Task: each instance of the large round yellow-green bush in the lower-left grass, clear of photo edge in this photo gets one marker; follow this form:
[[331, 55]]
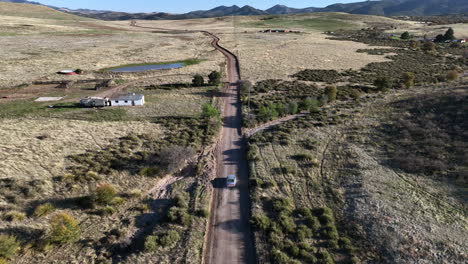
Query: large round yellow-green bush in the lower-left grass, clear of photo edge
[[65, 229]]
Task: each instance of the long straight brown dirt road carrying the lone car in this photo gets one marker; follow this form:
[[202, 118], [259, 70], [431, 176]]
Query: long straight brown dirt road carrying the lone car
[[229, 236]]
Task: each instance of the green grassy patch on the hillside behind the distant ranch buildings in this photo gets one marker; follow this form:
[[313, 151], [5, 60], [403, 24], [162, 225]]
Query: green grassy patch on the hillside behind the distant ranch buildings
[[324, 23]]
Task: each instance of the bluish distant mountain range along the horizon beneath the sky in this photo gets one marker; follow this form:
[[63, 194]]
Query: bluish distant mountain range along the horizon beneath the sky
[[383, 7]]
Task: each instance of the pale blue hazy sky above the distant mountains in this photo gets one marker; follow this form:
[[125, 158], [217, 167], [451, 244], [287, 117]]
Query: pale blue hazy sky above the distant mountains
[[181, 6]]
